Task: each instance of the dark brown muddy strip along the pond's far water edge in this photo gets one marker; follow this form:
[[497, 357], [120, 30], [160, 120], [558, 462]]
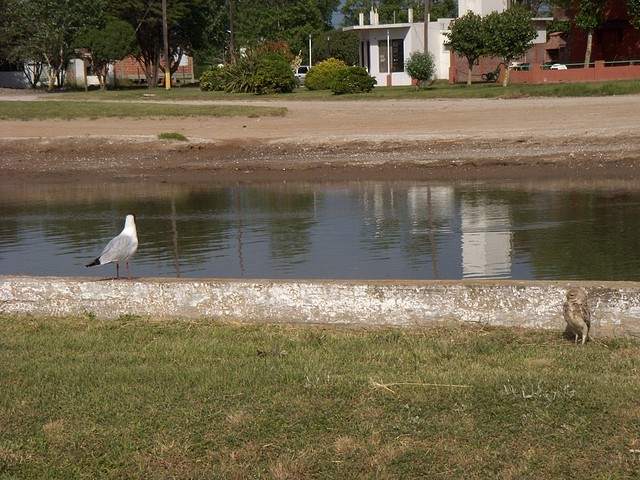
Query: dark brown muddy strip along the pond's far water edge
[[101, 160]]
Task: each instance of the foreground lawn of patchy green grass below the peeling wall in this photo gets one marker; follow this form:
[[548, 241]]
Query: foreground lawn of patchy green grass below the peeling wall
[[143, 399]]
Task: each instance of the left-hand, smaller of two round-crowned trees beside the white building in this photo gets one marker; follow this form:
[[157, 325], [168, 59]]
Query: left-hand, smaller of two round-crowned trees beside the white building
[[466, 37]]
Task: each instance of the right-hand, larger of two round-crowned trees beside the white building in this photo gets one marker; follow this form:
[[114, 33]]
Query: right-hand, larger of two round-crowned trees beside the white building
[[508, 35]]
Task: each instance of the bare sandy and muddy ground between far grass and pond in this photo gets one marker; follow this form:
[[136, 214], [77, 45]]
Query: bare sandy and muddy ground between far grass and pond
[[387, 139]]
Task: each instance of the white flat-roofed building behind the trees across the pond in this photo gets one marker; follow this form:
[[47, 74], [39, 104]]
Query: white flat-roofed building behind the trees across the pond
[[384, 48]]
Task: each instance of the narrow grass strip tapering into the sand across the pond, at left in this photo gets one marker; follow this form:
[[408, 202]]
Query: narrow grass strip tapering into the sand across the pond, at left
[[67, 110]]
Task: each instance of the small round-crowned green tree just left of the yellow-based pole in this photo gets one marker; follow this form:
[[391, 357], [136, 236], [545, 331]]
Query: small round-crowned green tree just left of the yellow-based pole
[[113, 42]]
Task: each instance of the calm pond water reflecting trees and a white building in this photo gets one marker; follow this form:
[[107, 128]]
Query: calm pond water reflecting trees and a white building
[[359, 230]]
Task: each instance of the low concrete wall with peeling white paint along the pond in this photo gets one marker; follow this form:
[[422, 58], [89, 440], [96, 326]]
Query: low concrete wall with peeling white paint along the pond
[[615, 305]]
